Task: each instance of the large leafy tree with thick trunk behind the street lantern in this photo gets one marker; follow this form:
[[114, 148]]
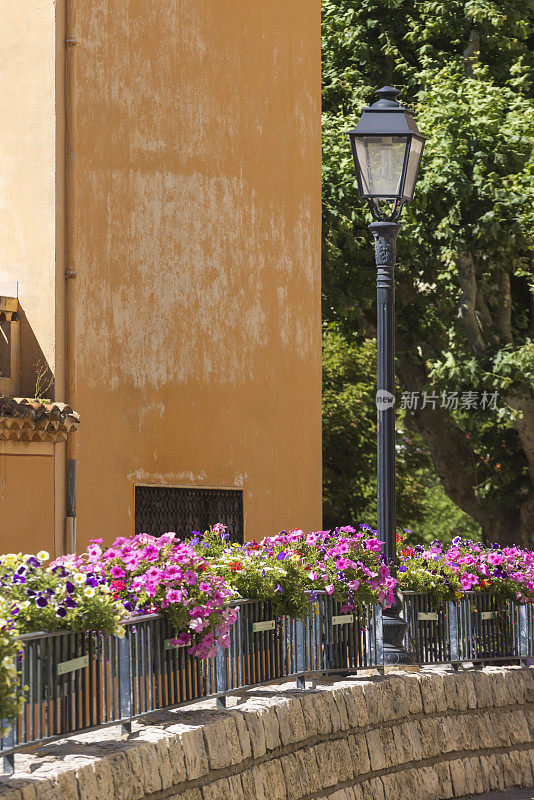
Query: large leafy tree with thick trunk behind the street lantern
[[465, 279]]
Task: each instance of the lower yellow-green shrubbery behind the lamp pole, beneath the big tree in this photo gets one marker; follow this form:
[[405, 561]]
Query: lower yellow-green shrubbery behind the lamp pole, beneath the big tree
[[349, 451]]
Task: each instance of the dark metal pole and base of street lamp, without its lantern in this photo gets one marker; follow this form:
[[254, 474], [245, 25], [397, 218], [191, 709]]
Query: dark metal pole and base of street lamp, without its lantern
[[385, 235]]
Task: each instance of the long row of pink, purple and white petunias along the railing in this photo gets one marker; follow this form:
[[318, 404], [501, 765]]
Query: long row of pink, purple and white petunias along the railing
[[194, 583]]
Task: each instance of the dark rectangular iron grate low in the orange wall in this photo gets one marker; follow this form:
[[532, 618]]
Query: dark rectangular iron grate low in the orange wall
[[159, 509]]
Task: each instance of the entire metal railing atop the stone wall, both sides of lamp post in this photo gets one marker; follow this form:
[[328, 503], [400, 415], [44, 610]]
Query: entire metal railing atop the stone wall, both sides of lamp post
[[75, 682]]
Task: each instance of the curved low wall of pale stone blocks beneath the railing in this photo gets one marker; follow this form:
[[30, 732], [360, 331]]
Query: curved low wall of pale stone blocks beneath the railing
[[422, 736]]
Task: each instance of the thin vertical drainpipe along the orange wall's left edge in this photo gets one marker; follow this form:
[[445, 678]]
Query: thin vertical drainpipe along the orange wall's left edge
[[70, 265]]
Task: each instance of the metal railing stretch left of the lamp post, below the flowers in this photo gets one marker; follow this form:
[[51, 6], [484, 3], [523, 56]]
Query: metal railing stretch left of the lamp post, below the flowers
[[76, 682]]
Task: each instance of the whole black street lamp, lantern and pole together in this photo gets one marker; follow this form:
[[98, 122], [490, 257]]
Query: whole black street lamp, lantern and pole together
[[387, 147]]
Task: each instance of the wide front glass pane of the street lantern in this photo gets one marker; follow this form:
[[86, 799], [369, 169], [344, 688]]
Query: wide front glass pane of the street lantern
[[381, 161]]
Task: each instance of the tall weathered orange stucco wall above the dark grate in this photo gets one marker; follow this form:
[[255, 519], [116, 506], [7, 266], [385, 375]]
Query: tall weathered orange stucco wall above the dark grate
[[198, 256]]
